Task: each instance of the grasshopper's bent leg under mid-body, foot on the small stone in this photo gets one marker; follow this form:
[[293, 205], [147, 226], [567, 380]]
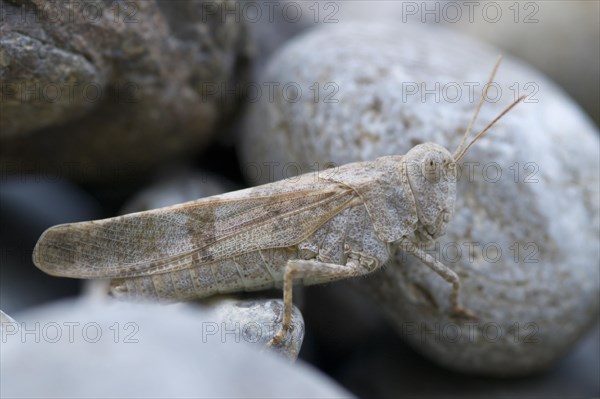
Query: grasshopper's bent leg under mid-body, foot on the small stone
[[299, 268]]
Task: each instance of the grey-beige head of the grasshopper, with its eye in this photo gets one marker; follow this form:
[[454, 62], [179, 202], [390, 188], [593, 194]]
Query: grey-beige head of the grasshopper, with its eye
[[431, 172]]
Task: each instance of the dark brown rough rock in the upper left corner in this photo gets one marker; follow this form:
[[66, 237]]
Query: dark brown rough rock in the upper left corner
[[104, 92]]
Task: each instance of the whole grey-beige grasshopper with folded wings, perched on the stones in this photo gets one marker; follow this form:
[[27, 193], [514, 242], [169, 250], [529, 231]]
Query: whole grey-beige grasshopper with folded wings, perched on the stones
[[313, 229]]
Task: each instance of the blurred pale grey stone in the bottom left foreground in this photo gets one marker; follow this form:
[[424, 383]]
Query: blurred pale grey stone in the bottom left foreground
[[89, 349]]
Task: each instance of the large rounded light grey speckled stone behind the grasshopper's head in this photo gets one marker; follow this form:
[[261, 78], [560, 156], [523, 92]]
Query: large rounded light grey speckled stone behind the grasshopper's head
[[524, 235]]
